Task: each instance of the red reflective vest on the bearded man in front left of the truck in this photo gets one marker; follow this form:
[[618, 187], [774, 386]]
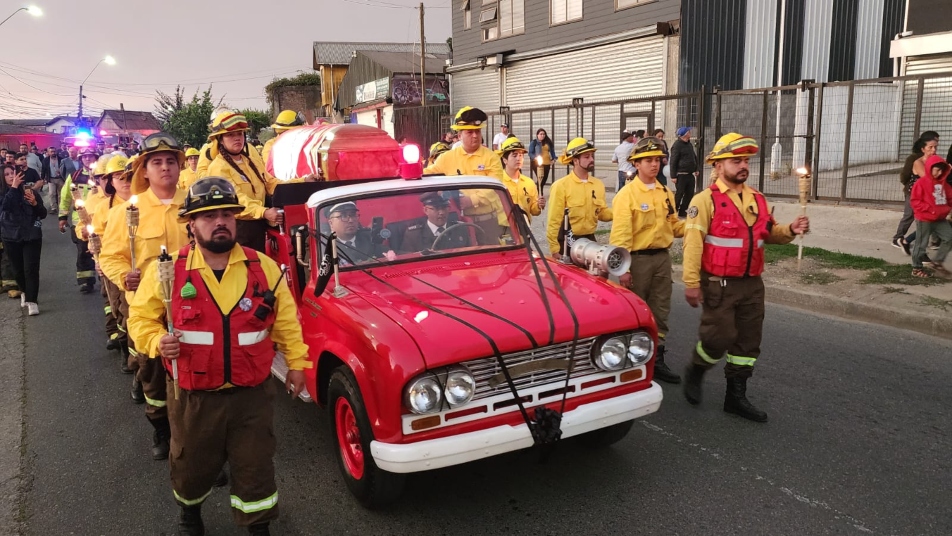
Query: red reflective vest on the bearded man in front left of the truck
[[217, 348]]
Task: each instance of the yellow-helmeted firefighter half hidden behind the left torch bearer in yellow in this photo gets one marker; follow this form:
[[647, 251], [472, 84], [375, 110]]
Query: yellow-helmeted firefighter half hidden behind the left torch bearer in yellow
[[116, 184]]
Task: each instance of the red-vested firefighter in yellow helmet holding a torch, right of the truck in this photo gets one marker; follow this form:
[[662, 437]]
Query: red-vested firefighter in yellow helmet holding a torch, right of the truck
[[723, 260]]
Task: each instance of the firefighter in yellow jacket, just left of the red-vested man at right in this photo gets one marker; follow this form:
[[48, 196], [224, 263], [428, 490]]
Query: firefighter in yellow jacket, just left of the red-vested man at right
[[646, 224]]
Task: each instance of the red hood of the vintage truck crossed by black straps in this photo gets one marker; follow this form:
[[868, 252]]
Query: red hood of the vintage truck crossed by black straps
[[453, 307]]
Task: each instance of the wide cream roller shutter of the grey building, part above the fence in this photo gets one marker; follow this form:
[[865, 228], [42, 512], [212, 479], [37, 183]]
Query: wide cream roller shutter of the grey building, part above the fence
[[622, 70]]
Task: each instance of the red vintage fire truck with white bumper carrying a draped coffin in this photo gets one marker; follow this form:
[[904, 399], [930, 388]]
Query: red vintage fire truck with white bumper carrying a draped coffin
[[441, 336]]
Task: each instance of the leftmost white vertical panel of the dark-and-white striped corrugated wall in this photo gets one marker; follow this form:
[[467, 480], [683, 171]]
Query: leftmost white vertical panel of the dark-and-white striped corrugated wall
[[760, 47]]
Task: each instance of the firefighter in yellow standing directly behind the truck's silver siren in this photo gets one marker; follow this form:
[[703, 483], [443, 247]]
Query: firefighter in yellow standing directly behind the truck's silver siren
[[580, 193]]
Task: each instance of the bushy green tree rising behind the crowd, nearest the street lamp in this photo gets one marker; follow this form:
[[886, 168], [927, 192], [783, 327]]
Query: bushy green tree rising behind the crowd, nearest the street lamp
[[186, 121]]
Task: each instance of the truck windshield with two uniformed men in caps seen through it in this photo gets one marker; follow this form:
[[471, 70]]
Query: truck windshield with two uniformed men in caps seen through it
[[380, 228]]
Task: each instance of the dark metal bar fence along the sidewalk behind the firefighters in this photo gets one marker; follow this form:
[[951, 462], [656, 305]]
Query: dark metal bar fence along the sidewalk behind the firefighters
[[853, 135]]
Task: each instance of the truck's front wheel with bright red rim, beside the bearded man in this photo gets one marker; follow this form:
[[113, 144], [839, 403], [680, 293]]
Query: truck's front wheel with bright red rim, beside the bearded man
[[350, 430]]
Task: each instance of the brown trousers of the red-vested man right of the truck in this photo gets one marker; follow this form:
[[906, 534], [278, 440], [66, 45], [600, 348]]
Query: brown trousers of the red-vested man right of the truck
[[732, 323]]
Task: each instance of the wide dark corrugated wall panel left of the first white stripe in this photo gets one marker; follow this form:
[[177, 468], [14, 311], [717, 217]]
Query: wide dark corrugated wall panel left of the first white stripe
[[712, 44]]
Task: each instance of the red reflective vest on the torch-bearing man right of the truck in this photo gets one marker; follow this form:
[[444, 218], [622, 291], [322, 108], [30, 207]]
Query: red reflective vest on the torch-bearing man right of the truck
[[732, 248]]
